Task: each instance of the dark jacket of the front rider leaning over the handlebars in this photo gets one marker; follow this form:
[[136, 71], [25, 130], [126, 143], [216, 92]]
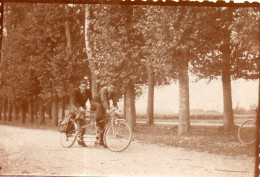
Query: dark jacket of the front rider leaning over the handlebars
[[104, 96]]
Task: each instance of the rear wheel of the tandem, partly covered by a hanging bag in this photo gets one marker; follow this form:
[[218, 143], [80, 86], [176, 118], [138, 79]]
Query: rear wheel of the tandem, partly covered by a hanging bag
[[68, 138]]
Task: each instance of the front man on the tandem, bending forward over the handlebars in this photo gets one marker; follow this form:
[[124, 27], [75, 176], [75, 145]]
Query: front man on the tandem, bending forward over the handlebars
[[101, 106]]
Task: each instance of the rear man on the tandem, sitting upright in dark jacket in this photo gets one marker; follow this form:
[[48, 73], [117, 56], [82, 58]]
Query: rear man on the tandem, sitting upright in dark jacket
[[79, 100]]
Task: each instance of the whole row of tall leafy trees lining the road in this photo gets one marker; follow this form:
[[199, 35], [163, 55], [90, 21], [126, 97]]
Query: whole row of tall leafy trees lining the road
[[48, 48]]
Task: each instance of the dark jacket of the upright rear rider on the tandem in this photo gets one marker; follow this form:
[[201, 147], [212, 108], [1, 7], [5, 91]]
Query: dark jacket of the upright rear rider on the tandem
[[79, 99]]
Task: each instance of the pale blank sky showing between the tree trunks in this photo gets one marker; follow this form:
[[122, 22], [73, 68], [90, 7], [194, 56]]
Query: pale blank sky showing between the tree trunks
[[202, 96]]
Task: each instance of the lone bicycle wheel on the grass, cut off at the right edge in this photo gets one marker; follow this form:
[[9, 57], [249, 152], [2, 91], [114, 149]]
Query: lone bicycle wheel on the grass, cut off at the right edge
[[247, 132]]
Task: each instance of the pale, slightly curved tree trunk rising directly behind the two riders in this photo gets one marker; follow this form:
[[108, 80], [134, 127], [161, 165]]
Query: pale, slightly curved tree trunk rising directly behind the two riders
[[92, 65]]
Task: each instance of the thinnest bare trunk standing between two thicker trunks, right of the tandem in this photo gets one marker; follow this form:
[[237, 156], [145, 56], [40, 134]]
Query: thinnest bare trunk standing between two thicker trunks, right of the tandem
[[150, 102]]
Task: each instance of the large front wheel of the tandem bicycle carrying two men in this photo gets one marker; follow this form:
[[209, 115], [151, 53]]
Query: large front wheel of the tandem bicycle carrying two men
[[118, 136]]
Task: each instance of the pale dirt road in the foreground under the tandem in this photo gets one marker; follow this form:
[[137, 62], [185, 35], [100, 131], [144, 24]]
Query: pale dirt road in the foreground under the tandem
[[38, 152]]
